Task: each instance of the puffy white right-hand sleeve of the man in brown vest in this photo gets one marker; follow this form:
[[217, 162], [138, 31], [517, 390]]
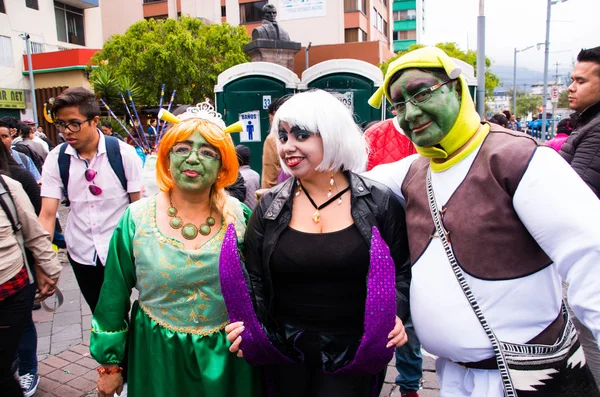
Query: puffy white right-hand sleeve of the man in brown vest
[[563, 216]]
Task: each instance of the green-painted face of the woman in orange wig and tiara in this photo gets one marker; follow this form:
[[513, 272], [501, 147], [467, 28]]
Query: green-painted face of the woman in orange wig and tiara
[[194, 163]]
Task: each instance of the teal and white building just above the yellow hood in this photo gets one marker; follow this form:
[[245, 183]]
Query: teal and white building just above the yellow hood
[[409, 23]]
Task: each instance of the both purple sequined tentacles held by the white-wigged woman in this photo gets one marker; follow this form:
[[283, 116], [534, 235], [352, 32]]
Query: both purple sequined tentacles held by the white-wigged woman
[[380, 310]]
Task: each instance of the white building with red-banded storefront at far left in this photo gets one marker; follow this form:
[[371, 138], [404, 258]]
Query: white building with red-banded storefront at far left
[[51, 27]]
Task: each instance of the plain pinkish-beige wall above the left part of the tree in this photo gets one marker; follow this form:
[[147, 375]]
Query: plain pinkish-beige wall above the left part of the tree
[[119, 15]]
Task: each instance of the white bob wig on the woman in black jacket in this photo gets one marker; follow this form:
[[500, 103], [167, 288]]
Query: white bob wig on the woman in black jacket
[[317, 111]]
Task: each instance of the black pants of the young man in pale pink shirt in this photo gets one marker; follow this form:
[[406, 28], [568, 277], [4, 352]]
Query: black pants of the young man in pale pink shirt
[[90, 280]]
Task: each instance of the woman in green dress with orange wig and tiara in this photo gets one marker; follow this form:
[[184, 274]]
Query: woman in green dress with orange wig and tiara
[[167, 247]]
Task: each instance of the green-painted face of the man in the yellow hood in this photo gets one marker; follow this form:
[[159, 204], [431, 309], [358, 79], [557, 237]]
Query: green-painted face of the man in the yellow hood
[[435, 112]]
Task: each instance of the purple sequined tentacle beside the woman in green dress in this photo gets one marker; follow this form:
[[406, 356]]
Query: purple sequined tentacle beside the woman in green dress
[[256, 346]]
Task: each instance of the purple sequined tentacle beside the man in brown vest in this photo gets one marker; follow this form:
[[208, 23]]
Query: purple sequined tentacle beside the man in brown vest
[[380, 313]]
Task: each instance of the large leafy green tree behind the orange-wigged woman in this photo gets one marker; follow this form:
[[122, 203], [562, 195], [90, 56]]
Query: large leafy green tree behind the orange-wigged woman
[[185, 54]]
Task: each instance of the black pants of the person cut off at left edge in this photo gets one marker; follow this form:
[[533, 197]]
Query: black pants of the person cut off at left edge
[[14, 314]]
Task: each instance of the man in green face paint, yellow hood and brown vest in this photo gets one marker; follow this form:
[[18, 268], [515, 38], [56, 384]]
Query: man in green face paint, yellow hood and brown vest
[[492, 272]]
